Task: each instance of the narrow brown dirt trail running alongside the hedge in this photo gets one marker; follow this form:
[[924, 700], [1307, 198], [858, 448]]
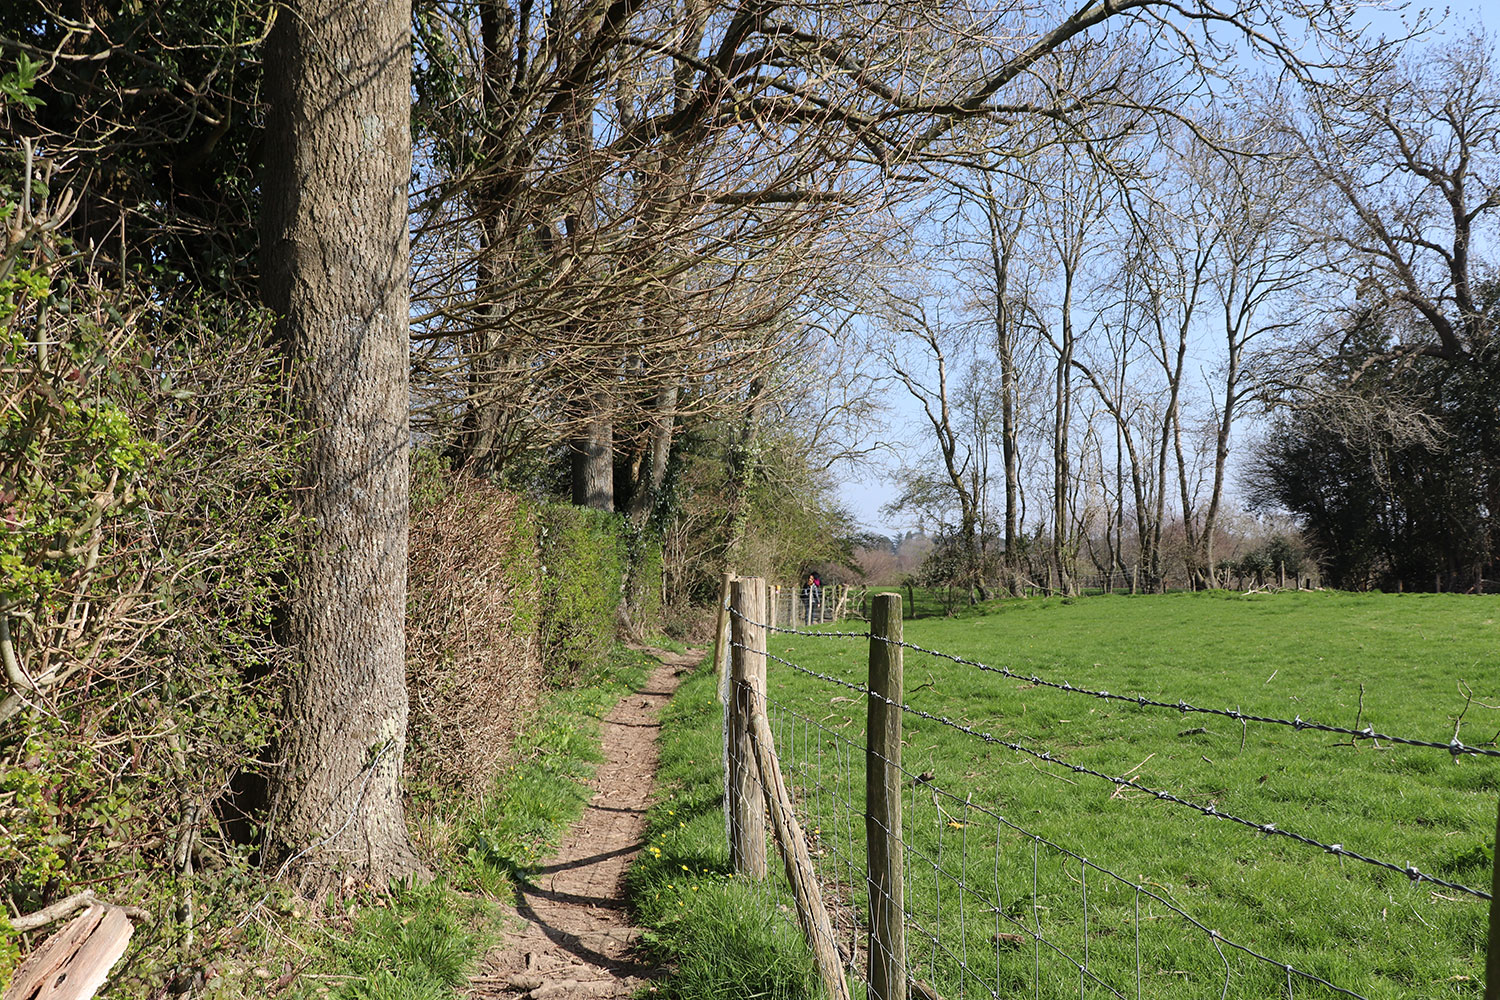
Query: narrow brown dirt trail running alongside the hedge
[[577, 941]]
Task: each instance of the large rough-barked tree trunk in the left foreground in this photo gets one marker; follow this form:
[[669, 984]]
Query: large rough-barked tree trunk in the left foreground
[[335, 271]]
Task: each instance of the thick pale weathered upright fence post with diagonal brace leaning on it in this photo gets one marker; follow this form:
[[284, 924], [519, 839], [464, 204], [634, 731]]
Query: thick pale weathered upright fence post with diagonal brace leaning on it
[[748, 680]]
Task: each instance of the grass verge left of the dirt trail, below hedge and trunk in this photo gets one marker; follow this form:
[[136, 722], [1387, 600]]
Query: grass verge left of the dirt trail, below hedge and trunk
[[422, 944]]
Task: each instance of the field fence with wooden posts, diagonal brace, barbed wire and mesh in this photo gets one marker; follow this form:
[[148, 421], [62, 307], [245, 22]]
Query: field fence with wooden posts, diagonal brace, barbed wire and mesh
[[859, 831]]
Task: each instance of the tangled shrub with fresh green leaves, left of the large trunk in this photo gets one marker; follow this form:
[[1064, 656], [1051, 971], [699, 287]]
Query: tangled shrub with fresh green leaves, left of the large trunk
[[148, 470]]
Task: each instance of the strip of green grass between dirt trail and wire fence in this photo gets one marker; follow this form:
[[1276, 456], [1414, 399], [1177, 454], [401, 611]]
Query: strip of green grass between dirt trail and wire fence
[[724, 936]]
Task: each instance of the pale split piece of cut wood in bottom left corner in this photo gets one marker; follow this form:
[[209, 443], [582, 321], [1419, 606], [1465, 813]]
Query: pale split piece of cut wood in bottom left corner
[[74, 963]]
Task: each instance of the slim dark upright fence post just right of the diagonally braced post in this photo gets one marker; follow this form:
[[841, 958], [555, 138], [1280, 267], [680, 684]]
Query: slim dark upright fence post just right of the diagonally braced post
[[883, 798]]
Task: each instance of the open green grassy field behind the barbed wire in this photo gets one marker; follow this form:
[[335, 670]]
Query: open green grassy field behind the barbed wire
[[1370, 932]]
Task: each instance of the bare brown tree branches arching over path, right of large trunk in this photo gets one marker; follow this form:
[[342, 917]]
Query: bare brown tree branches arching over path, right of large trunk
[[607, 182]]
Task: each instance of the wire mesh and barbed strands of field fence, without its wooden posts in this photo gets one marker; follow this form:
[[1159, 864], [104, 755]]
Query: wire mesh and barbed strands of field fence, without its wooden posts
[[995, 906]]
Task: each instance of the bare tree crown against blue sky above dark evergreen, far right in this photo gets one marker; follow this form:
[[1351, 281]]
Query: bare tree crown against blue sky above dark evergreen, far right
[[1406, 155]]
